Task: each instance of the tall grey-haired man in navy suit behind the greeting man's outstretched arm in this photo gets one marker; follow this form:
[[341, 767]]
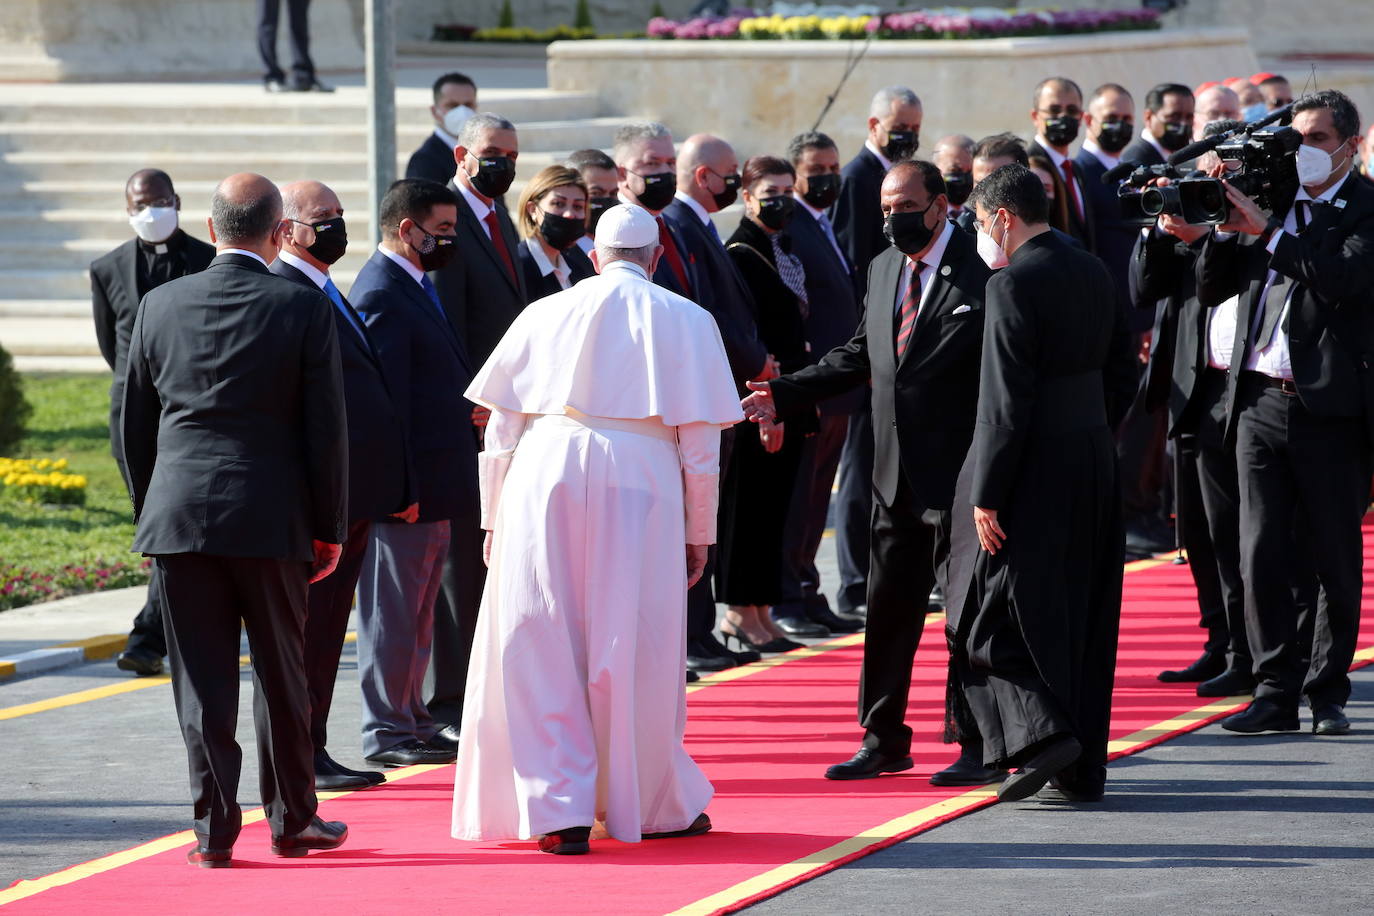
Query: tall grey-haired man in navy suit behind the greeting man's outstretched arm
[[895, 117]]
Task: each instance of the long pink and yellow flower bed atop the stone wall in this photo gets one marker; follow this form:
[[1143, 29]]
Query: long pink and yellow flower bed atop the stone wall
[[741, 25]]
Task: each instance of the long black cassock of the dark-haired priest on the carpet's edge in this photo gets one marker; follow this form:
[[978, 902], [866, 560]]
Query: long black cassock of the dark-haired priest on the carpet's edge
[[1037, 624]]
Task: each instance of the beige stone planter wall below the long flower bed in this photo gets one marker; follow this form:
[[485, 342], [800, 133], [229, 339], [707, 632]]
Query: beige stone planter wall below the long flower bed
[[759, 94]]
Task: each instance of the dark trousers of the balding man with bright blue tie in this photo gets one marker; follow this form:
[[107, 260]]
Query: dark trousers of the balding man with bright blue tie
[[329, 605]]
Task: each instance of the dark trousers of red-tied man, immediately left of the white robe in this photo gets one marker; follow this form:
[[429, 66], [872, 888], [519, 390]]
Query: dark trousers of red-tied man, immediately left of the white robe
[[455, 621]]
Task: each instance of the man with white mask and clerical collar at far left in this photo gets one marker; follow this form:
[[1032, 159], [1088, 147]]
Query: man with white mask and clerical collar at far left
[[161, 252]]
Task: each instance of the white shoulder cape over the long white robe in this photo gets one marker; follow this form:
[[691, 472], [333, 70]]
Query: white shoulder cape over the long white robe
[[618, 347]]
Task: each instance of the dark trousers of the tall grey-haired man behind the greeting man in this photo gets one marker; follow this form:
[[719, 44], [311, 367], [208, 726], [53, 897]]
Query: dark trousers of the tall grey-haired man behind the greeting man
[[854, 510]]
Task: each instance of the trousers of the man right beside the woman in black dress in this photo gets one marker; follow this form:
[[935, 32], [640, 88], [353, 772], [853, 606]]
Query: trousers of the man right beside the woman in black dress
[[807, 518]]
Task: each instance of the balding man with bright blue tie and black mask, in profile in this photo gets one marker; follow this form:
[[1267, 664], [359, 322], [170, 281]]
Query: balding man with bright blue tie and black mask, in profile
[[380, 481]]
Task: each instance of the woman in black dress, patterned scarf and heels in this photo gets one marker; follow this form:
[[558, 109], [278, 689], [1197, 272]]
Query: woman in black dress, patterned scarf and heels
[[759, 479]]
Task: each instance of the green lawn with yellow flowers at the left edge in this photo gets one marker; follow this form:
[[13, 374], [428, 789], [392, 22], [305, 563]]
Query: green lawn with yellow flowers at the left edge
[[71, 420]]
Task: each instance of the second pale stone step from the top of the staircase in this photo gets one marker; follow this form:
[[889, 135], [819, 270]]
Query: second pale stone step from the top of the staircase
[[232, 138]]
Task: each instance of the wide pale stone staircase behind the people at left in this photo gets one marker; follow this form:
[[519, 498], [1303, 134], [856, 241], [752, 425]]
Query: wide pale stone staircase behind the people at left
[[68, 149]]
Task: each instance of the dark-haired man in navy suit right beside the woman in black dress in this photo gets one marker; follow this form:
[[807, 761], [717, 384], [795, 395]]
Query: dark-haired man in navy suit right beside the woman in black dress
[[831, 322]]
